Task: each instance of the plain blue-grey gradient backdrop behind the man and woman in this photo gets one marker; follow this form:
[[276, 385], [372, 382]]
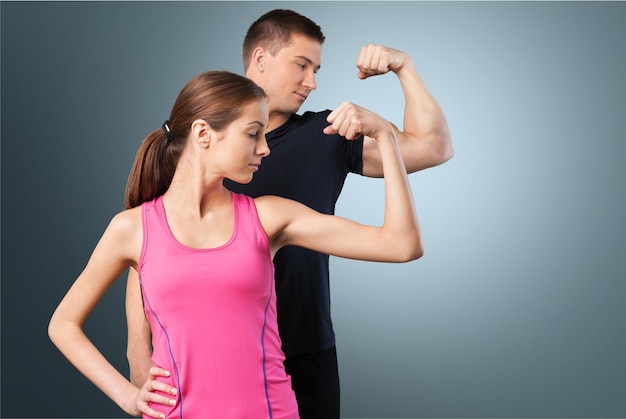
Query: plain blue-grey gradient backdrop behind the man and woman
[[517, 308]]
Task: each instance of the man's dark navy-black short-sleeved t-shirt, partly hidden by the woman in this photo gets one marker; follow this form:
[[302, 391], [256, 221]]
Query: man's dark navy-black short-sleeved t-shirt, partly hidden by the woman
[[308, 166]]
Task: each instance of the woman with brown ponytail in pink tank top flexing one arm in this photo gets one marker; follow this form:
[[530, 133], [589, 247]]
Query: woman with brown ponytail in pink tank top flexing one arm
[[204, 254]]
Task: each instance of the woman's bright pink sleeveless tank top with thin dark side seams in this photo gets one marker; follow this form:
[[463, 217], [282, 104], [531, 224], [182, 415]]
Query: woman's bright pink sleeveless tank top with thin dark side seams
[[213, 318]]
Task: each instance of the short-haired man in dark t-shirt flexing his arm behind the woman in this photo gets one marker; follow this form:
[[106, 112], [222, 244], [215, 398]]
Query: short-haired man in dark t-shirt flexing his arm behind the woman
[[282, 53]]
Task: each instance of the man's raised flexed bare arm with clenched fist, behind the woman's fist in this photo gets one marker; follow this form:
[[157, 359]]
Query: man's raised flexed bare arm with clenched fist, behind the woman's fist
[[425, 139]]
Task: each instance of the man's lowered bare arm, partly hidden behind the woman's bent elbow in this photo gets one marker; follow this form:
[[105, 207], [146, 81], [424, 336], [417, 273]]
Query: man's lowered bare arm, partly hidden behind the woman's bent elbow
[[139, 346]]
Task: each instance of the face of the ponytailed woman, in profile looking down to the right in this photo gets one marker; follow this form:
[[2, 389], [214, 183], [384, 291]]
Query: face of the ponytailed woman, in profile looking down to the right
[[242, 146]]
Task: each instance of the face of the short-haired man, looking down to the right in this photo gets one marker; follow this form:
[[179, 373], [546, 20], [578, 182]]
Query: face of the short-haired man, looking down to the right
[[289, 75]]
